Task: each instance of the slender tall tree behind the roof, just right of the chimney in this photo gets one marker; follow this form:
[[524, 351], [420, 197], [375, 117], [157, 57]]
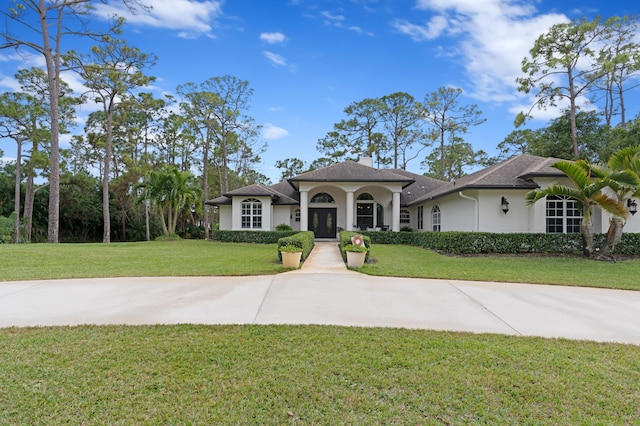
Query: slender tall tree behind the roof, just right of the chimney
[[447, 118]]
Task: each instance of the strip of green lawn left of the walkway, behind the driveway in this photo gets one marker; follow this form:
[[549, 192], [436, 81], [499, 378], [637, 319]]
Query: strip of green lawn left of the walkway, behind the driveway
[[156, 258]]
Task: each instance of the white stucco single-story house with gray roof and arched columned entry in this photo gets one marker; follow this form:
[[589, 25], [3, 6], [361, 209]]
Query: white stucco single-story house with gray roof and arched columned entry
[[354, 195]]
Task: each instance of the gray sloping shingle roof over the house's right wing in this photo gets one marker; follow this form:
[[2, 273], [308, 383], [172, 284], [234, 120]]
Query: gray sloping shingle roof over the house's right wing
[[516, 172]]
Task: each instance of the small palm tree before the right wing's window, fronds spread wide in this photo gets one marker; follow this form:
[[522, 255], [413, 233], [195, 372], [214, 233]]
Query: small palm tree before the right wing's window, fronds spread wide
[[587, 192]]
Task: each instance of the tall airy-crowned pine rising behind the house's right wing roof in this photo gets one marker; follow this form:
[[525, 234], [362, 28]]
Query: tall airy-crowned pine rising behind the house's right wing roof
[[562, 66]]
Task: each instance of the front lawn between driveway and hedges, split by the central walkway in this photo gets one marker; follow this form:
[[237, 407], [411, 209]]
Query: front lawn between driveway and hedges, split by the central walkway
[[202, 258]]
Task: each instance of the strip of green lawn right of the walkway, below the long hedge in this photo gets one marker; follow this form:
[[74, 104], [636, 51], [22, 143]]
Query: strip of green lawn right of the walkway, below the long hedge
[[407, 261]]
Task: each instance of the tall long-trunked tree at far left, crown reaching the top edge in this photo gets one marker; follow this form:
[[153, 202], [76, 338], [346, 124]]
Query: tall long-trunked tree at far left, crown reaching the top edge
[[56, 19]]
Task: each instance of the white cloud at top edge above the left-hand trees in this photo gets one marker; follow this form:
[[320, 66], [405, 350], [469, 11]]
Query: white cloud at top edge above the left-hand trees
[[193, 17]]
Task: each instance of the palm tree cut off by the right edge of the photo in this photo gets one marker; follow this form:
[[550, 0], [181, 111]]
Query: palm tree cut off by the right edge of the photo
[[622, 173]]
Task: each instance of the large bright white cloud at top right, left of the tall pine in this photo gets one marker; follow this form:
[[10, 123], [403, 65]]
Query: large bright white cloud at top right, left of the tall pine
[[490, 36]]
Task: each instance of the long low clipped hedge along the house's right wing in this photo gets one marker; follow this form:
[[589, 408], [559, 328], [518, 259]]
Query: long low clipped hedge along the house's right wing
[[487, 243]]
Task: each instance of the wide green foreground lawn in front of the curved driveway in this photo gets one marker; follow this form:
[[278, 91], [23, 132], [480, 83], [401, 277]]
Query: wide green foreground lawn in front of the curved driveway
[[309, 375]]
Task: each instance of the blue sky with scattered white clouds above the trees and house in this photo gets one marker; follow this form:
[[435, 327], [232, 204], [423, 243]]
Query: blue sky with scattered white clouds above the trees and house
[[306, 60]]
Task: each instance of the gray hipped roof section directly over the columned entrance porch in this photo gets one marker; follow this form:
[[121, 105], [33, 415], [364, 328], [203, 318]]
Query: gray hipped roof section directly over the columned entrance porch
[[350, 171]]
